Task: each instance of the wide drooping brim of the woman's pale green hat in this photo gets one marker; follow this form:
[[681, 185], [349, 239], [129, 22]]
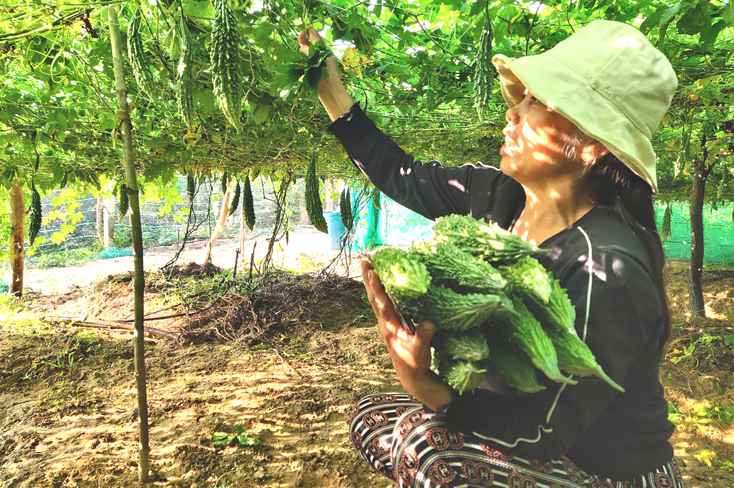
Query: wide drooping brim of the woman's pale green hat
[[570, 95]]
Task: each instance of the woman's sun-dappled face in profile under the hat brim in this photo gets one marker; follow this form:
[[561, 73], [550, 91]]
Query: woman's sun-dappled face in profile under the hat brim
[[535, 142]]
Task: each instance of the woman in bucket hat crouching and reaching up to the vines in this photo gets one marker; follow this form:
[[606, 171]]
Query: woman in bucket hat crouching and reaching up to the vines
[[577, 176]]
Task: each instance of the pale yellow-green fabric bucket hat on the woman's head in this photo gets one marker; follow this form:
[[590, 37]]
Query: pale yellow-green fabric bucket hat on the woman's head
[[608, 80]]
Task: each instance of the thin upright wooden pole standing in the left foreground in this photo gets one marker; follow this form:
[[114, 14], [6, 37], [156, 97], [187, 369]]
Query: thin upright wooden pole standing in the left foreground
[[125, 128]]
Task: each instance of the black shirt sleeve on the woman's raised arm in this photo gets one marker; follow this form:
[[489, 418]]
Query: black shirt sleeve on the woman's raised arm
[[429, 189]]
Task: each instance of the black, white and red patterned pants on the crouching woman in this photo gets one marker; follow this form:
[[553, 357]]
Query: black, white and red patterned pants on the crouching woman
[[398, 439]]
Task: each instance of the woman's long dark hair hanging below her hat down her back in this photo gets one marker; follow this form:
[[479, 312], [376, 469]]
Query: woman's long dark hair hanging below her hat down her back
[[615, 185]]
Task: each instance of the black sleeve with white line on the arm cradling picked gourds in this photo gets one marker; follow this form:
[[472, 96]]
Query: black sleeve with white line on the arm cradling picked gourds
[[614, 299]]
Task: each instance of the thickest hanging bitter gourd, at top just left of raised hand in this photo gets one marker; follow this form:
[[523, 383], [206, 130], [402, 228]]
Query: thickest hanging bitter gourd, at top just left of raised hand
[[225, 62]]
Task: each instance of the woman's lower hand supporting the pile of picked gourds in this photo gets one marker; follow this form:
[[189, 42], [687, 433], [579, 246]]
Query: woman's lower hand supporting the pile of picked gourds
[[410, 353]]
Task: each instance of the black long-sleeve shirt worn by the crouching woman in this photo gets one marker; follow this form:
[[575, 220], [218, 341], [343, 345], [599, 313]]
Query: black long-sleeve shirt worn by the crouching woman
[[606, 272]]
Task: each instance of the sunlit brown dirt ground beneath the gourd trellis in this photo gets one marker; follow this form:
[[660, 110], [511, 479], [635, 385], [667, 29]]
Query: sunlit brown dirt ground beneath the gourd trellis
[[284, 357]]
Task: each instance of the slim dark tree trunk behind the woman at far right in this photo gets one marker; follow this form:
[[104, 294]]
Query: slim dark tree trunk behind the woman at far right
[[695, 272]]
